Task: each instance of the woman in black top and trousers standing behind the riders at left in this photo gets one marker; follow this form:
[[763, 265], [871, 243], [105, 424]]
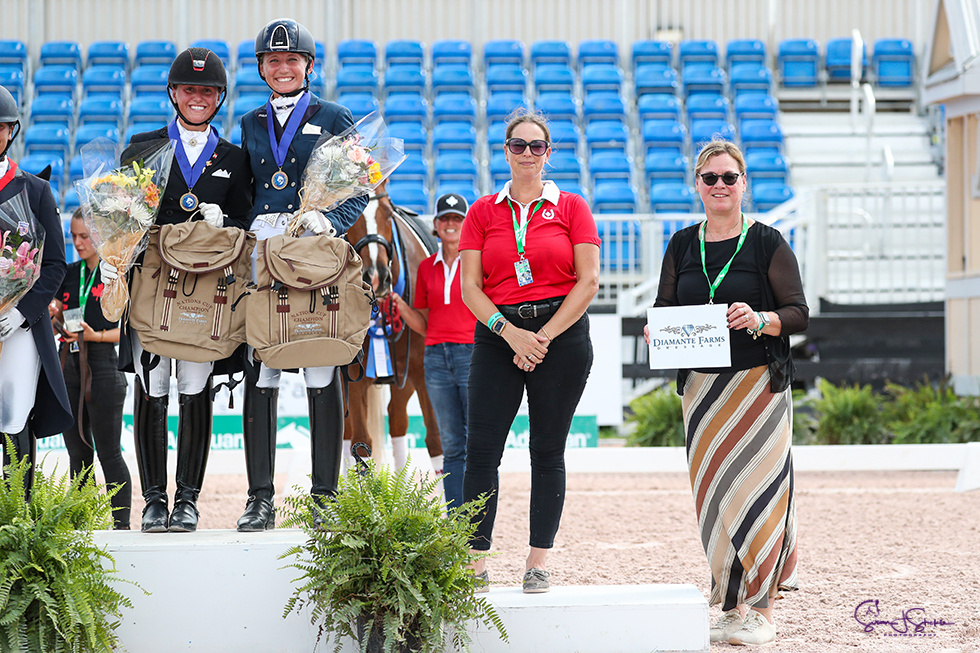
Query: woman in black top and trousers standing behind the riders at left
[[97, 395]]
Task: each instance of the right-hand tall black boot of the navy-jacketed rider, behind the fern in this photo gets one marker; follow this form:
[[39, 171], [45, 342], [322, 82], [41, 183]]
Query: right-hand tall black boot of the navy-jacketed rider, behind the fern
[[326, 438]]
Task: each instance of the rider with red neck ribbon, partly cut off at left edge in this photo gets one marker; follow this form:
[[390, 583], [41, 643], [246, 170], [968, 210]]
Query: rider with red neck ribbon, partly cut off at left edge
[[33, 400]]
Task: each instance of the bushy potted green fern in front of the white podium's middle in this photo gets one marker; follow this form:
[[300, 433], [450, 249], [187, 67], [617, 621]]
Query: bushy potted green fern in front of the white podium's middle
[[387, 552]]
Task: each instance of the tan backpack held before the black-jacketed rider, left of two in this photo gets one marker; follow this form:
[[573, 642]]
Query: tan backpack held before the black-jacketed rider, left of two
[[186, 296]]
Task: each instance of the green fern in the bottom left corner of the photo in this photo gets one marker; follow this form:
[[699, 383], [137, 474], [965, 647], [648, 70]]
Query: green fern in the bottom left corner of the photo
[[55, 591]]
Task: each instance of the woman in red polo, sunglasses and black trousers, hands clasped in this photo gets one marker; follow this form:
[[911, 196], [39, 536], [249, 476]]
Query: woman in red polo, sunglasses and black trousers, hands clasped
[[530, 260]]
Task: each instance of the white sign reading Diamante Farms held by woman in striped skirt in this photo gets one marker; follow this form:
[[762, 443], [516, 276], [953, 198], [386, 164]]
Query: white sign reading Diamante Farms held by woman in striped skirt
[[689, 337]]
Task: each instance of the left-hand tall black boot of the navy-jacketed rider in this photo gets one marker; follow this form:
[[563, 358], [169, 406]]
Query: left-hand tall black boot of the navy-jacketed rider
[[259, 430]]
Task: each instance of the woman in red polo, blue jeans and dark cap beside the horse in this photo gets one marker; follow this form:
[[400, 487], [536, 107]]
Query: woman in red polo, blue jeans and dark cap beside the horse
[[447, 324]]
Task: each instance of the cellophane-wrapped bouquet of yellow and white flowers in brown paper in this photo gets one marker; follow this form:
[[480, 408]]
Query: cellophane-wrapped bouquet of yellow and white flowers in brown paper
[[120, 205]]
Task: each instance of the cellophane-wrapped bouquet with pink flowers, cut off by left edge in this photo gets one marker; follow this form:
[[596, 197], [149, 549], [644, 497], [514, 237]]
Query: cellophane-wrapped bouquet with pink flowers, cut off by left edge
[[21, 250]]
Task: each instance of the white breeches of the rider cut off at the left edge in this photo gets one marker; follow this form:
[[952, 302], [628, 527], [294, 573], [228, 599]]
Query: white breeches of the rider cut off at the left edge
[[20, 369]]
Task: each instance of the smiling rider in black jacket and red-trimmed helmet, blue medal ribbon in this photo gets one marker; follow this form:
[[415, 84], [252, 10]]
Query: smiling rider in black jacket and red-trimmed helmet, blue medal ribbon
[[209, 177]]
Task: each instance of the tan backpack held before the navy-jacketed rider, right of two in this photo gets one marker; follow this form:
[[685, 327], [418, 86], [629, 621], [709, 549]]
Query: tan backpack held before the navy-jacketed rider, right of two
[[311, 307]]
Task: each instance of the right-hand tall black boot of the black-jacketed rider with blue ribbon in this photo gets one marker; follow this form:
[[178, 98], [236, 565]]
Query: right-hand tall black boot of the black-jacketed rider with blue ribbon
[[193, 445]]
